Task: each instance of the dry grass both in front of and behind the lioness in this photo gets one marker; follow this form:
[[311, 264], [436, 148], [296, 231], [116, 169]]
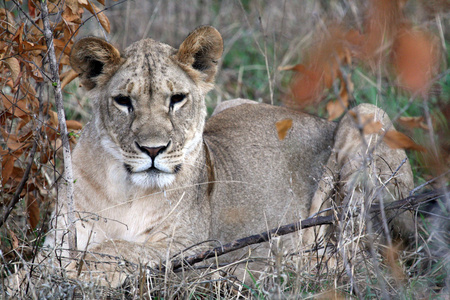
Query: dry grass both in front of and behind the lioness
[[259, 37]]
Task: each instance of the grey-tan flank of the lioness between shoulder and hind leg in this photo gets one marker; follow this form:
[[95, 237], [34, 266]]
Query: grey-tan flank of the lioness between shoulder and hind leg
[[257, 171]]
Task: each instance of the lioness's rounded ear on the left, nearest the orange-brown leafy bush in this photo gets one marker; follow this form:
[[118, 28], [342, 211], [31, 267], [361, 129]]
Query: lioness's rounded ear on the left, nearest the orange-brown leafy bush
[[95, 60]]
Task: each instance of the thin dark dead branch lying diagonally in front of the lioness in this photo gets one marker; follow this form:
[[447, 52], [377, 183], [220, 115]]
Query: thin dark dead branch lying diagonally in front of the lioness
[[405, 204]]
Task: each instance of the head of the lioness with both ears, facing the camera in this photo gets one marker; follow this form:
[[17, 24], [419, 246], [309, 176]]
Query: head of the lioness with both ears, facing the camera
[[149, 108]]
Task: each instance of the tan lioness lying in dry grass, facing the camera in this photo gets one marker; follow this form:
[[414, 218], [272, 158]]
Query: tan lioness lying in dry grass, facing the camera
[[151, 178]]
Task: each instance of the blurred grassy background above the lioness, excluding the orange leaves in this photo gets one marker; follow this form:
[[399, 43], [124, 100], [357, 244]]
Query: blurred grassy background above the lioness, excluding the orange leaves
[[259, 36]]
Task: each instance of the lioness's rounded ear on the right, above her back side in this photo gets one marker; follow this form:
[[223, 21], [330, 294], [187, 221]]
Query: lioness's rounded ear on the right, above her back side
[[201, 51]]
